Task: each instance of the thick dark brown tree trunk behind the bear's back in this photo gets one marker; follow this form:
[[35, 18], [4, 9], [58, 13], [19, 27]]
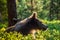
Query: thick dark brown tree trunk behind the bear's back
[[11, 5]]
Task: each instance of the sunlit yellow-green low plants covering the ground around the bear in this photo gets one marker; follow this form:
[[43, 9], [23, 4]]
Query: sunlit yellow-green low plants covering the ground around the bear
[[53, 33]]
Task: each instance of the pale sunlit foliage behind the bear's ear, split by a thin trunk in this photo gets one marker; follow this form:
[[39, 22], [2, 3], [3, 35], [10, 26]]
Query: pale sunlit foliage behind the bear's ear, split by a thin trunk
[[41, 7]]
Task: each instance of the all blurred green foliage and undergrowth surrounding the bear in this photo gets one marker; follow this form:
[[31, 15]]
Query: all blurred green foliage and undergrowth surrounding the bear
[[48, 12]]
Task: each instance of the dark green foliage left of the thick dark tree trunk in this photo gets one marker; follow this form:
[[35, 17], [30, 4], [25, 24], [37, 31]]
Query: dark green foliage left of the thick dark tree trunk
[[3, 10]]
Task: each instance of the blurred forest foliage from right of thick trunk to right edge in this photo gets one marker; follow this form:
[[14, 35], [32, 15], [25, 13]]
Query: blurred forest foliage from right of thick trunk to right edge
[[43, 7]]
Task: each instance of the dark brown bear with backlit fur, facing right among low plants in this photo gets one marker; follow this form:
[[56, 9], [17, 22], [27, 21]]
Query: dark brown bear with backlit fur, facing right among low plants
[[28, 25]]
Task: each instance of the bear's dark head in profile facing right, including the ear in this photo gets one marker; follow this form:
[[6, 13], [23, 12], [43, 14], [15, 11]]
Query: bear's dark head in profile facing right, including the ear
[[34, 23]]
